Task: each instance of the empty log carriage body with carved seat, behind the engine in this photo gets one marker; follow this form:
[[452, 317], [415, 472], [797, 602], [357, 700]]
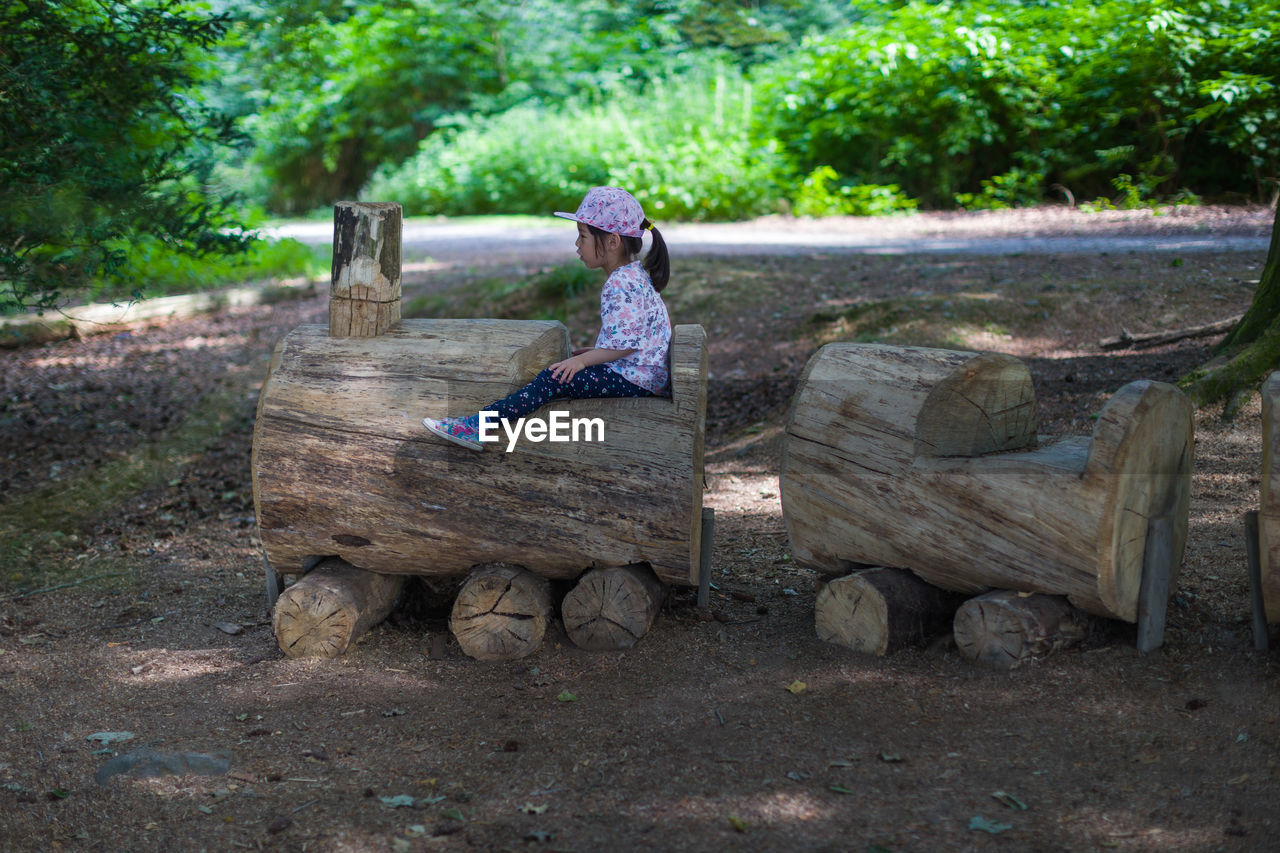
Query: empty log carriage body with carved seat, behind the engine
[[929, 460]]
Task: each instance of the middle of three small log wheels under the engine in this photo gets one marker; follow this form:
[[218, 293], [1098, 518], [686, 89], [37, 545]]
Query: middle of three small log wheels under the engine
[[502, 613]]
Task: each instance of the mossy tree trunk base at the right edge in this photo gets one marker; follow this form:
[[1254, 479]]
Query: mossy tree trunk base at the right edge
[[1252, 349]]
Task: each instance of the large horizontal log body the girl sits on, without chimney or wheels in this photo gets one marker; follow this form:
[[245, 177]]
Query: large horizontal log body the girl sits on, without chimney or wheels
[[342, 466]]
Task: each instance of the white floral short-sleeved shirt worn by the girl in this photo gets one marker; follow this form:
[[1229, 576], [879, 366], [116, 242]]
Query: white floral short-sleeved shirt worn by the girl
[[633, 317]]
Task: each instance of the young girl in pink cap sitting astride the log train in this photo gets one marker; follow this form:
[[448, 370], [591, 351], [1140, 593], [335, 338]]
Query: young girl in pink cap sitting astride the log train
[[630, 355]]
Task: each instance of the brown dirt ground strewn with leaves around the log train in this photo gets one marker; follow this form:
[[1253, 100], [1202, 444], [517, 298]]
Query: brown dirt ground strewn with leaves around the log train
[[132, 612]]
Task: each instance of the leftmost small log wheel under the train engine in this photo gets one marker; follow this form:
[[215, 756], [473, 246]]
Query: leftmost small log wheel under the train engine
[[331, 608]]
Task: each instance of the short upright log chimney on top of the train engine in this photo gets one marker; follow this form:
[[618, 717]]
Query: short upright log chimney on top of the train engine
[[365, 291]]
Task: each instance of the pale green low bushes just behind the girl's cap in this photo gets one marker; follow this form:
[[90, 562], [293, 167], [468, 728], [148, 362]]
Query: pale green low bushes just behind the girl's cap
[[682, 148]]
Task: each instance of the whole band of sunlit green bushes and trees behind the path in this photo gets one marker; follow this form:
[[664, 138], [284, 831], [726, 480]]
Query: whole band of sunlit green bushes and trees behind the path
[[499, 107]]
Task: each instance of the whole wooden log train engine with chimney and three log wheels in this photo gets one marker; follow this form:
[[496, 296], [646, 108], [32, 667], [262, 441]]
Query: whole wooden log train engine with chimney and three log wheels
[[354, 495]]
